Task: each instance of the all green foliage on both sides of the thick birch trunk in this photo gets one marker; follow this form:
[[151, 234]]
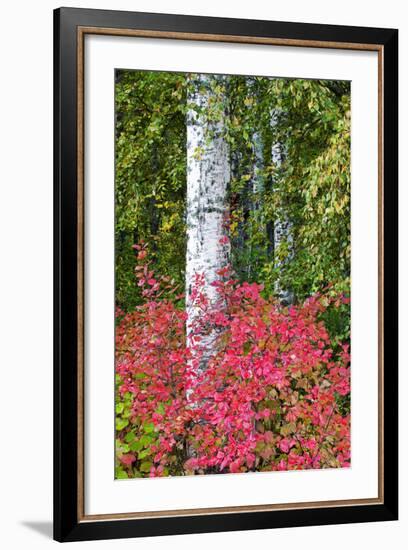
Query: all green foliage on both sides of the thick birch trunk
[[309, 187]]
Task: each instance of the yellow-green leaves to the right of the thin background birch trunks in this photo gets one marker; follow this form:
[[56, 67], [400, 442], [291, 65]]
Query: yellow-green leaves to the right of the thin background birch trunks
[[315, 187]]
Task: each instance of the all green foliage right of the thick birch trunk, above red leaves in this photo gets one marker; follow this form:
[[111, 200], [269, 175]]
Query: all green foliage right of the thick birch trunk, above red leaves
[[309, 187]]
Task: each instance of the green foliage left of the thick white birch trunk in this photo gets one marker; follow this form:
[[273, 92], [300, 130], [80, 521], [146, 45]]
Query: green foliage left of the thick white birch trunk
[[150, 175]]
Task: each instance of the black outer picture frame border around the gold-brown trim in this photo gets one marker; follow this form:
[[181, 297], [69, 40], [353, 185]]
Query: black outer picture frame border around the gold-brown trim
[[67, 332]]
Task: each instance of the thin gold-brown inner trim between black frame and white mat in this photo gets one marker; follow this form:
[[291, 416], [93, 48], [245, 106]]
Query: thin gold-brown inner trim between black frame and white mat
[[81, 33]]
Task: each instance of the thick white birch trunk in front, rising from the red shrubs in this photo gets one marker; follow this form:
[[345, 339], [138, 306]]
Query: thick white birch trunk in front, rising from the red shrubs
[[208, 175]]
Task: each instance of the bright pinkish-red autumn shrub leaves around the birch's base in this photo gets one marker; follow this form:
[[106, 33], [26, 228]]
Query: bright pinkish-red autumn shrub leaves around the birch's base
[[271, 397]]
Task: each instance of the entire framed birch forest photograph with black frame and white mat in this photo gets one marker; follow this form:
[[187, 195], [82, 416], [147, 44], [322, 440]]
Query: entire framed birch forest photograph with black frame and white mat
[[225, 274]]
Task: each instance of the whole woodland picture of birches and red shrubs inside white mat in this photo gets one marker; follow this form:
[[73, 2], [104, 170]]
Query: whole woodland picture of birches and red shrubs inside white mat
[[232, 203]]
